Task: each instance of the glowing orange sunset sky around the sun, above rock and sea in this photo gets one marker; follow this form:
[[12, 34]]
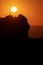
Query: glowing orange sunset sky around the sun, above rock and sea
[[32, 9]]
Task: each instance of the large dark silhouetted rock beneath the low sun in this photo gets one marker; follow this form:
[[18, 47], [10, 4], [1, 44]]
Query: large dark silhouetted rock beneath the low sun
[[14, 27]]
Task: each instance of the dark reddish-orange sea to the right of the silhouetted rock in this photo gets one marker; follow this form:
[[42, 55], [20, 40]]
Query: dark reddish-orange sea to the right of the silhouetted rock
[[36, 31]]
